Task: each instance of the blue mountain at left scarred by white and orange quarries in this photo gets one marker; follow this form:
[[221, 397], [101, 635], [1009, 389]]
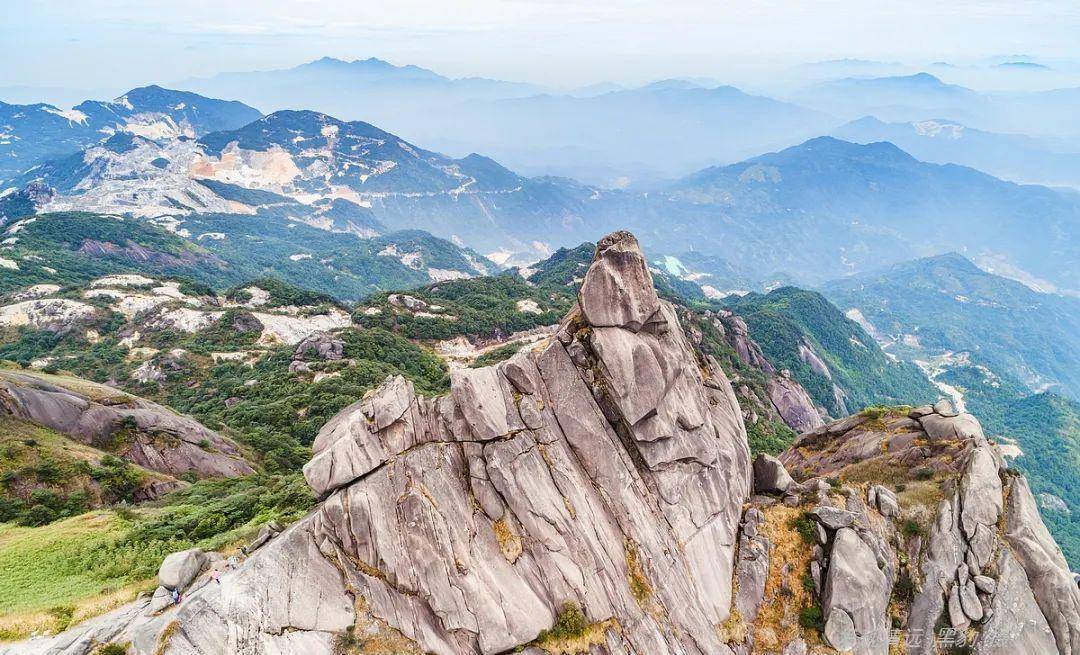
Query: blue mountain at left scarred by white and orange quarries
[[312, 168]]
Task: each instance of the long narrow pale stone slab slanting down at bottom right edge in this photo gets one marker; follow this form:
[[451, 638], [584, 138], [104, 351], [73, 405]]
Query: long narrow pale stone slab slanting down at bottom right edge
[[1048, 573]]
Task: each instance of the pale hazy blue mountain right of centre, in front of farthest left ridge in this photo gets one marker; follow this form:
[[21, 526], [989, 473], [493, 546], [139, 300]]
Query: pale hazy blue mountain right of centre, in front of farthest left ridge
[[636, 137]]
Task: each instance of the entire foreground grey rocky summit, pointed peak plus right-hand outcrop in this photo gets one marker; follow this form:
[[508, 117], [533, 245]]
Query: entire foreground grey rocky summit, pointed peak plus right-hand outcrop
[[596, 493]]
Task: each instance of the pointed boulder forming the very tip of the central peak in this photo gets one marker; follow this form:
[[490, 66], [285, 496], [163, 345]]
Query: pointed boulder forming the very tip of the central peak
[[618, 291]]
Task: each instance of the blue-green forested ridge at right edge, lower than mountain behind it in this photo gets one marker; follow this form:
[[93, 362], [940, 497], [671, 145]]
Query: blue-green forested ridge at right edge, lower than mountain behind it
[[944, 305]]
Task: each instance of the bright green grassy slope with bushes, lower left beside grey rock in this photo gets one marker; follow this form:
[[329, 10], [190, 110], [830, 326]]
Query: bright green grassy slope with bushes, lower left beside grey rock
[[103, 553]]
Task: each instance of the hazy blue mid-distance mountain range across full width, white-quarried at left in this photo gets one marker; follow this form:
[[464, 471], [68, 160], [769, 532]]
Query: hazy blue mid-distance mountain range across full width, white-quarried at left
[[817, 211]]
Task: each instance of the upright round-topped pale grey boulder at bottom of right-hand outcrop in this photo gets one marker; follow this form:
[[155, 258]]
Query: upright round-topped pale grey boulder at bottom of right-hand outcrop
[[856, 587]]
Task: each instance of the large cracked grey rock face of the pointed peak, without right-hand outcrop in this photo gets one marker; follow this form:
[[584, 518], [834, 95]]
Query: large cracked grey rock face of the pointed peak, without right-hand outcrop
[[606, 467]]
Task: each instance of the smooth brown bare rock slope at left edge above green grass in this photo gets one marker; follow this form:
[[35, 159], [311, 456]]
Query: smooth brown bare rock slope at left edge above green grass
[[139, 431]]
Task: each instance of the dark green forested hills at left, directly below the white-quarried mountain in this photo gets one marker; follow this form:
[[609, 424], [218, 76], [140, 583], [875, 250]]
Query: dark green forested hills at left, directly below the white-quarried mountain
[[79, 247]]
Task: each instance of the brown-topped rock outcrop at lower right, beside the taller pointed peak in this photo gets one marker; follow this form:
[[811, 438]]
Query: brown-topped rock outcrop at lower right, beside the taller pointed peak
[[950, 519]]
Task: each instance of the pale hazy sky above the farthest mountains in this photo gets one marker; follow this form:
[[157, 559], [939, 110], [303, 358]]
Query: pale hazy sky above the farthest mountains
[[120, 44]]
